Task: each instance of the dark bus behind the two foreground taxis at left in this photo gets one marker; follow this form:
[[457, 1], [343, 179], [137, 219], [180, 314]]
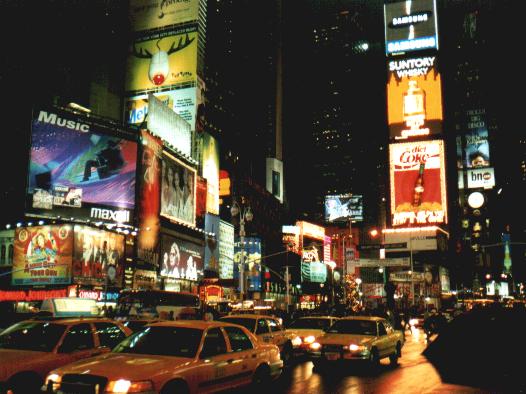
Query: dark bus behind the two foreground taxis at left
[[156, 304]]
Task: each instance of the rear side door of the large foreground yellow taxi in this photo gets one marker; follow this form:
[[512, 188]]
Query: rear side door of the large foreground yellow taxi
[[243, 354]]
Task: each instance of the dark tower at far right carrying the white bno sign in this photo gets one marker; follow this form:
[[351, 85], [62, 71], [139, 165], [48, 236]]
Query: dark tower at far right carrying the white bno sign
[[490, 144]]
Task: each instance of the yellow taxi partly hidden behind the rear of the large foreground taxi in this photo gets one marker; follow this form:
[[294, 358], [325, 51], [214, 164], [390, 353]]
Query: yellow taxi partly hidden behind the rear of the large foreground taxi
[[267, 329]]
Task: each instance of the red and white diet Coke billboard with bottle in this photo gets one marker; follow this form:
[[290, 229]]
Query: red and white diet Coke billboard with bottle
[[418, 183]]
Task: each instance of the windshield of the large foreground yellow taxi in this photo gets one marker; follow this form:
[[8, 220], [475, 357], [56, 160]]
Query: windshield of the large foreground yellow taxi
[[162, 341]]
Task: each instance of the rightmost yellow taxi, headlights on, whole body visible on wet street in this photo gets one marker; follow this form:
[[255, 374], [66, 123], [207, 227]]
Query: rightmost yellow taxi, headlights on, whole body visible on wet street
[[358, 338]]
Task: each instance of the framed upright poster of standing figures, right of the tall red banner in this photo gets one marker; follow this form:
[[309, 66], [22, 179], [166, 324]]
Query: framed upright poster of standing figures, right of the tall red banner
[[178, 190]]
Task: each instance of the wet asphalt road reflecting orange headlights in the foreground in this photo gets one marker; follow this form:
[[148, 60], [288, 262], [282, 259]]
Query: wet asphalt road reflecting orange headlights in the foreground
[[413, 374]]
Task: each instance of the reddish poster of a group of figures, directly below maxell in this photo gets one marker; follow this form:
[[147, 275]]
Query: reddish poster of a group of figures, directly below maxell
[[98, 257]]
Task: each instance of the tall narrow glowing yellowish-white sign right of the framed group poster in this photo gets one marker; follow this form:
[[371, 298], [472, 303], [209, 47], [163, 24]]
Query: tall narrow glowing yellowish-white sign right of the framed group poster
[[211, 172]]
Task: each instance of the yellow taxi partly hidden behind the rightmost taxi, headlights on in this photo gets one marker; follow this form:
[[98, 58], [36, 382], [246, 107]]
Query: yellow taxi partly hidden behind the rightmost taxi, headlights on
[[305, 330]]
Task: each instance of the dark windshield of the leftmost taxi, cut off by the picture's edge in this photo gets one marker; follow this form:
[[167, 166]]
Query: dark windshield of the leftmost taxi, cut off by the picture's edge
[[37, 336]]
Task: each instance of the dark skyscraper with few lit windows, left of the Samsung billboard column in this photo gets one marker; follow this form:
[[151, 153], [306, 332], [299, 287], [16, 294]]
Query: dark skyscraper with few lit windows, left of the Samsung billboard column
[[340, 112]]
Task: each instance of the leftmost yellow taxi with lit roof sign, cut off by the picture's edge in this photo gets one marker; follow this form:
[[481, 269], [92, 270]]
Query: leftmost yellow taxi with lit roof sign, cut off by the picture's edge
[[31, 348]]
